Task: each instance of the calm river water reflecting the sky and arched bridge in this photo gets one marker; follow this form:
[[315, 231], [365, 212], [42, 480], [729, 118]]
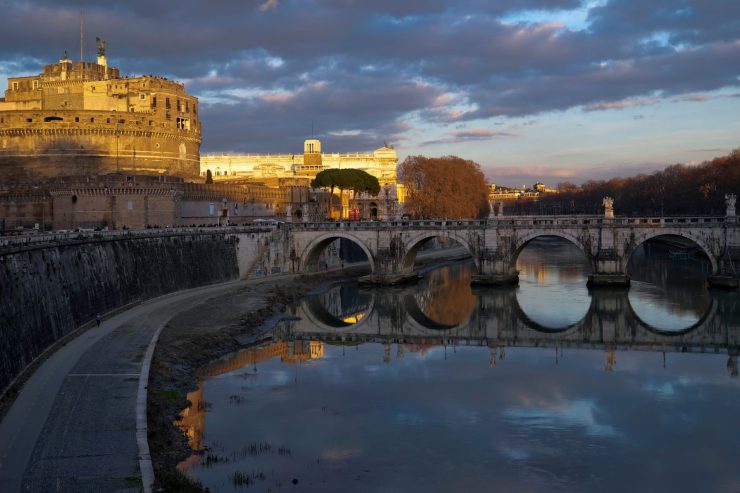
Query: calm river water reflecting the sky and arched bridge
[[435, 387]]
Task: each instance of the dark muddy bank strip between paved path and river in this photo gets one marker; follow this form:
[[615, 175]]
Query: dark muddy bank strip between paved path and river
[[198, 336]]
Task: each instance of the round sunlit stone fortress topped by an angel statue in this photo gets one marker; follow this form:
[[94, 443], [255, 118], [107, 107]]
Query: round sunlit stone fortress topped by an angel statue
[[84, 119]]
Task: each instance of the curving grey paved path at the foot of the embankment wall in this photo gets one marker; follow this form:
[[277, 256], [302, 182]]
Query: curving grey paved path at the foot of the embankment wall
[[72, 428]]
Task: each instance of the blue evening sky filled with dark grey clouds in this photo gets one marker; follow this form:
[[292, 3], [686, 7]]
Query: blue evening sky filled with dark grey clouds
[[532, 90]]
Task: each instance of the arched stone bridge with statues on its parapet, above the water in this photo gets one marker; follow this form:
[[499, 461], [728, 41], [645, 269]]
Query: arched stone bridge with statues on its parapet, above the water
[[495, 243]]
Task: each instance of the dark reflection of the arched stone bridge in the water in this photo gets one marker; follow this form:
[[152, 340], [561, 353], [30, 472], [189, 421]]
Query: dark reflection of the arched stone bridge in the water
[[498, 321]]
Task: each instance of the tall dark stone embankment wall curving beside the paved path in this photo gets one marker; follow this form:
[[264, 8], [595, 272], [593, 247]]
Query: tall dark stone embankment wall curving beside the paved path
[[49, 289]]
